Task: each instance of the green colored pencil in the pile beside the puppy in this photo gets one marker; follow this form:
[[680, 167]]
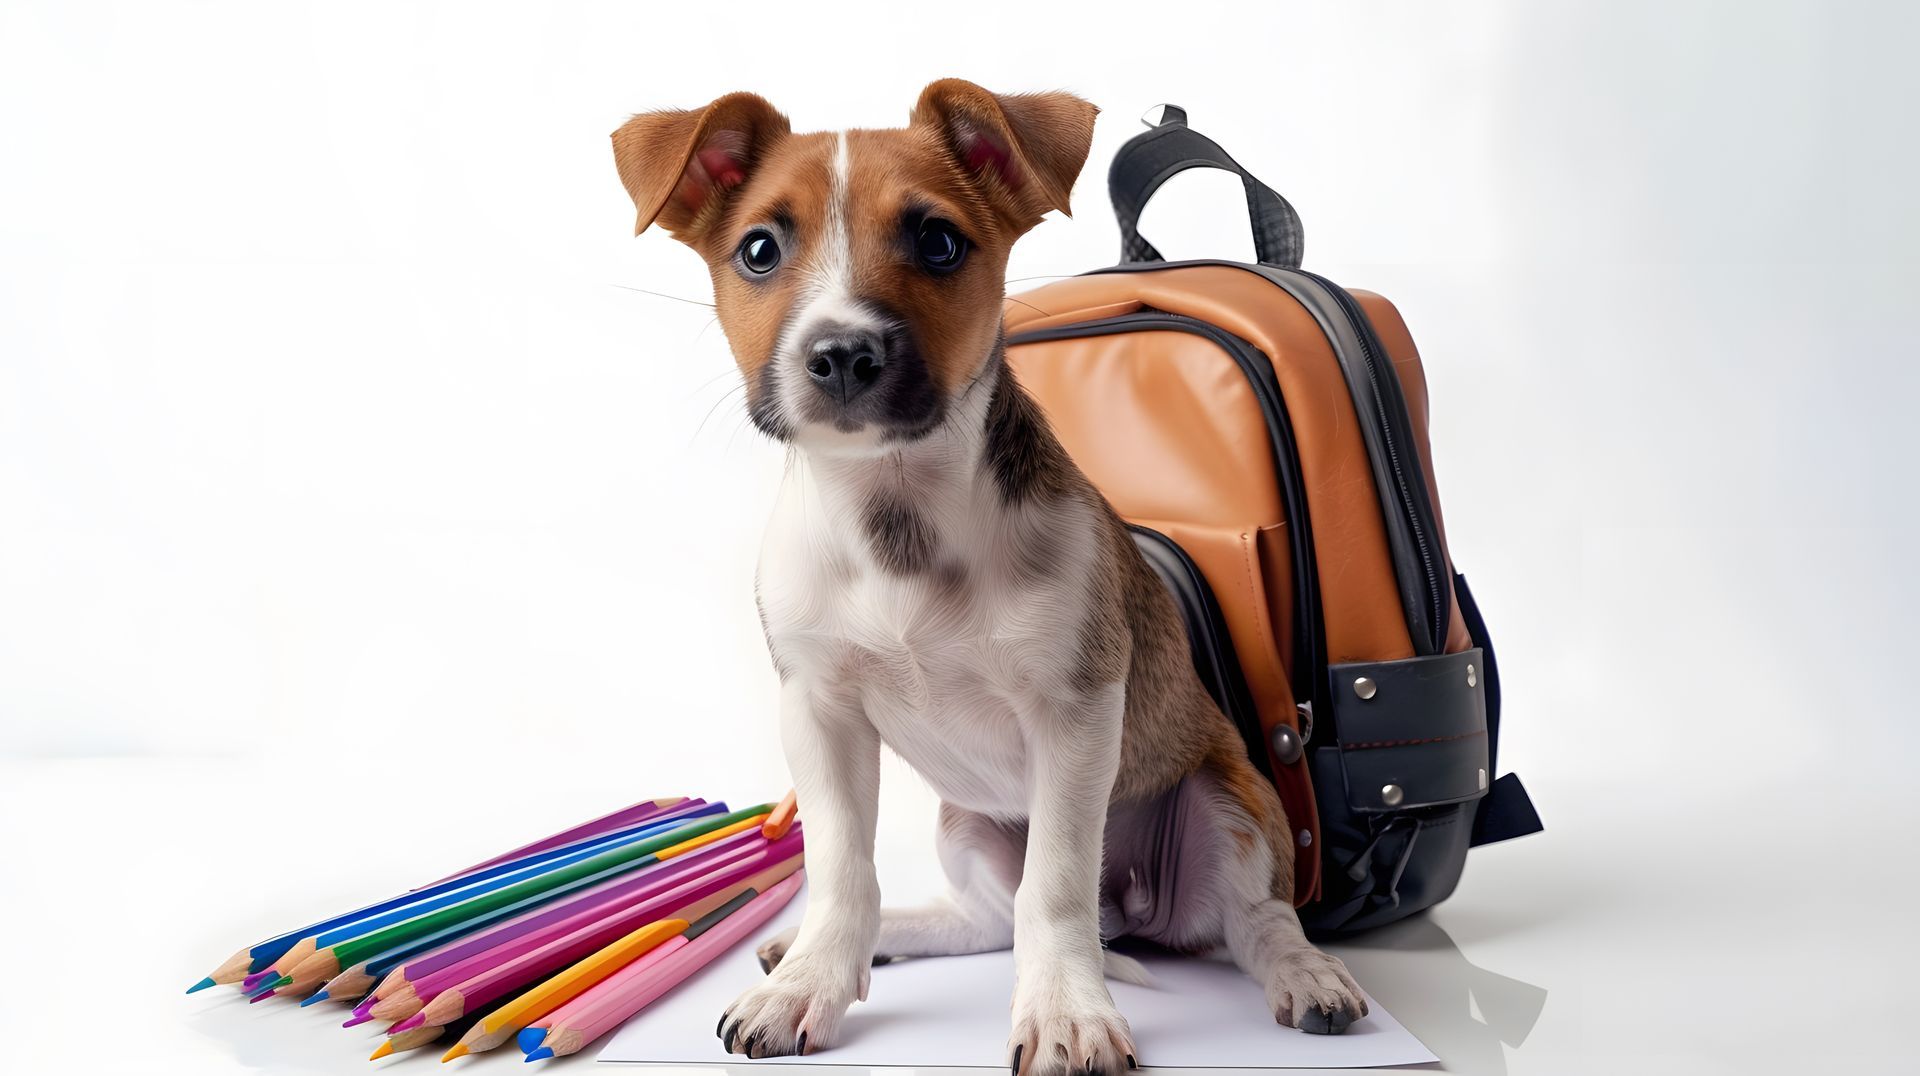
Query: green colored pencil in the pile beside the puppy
[[325, 964]]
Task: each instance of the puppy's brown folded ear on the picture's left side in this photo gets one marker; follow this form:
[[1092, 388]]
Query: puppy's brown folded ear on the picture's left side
[[679, 166]]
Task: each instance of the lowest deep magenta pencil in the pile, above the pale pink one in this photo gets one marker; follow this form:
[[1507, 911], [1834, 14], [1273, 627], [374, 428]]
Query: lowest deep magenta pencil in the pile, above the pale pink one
[[450, 998]]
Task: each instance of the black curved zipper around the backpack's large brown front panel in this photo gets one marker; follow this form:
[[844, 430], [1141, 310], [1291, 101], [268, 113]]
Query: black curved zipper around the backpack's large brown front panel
[[1307, 668]]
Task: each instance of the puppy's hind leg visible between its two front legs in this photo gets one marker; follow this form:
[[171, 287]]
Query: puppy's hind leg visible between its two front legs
[[982, 860]]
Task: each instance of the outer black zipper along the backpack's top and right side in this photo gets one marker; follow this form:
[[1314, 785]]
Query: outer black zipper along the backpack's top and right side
[[1404, 501]]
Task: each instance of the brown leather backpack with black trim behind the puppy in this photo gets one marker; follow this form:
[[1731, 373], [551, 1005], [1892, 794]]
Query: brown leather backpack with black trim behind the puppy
[[1264, 435]]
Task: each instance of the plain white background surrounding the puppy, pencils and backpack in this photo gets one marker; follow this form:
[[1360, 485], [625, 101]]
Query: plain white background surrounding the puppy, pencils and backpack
[[356, 524]]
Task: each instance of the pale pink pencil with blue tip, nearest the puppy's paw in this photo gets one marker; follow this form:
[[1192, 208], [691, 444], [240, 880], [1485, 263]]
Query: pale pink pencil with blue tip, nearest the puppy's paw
[[636, 987]]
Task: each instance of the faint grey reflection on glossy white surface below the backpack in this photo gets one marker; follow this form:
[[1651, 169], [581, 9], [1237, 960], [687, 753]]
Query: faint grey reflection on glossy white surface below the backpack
[[1460, 1010]]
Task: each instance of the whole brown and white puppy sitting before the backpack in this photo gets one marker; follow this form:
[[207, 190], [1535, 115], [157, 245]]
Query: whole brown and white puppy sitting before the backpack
[[940, 577]]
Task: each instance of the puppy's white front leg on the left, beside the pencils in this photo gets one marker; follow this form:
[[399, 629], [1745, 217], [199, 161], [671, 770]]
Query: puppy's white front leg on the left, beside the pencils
[[834, 754]]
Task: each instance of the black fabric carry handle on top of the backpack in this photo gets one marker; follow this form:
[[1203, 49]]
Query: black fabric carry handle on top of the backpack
[[1170, 149]]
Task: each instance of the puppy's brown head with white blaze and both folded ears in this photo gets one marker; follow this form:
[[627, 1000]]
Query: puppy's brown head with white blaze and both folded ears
[[859, 276]]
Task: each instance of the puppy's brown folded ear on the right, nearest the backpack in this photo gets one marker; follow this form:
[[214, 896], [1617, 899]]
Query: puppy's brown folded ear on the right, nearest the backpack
[[1024, 149]]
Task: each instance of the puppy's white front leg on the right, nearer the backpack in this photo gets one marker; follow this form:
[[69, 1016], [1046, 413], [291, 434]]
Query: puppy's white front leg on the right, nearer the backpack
[[1065, 1019]]
